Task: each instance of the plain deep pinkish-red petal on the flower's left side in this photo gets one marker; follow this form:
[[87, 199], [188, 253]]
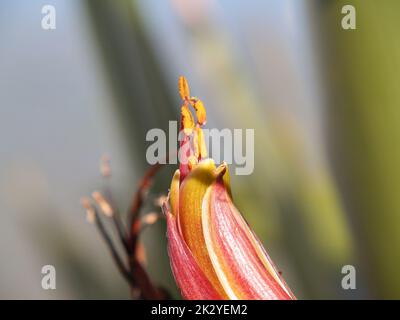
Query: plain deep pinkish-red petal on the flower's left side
[[190, 279]]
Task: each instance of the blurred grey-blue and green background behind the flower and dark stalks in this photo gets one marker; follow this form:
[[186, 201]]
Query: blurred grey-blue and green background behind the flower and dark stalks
[[324, 103]]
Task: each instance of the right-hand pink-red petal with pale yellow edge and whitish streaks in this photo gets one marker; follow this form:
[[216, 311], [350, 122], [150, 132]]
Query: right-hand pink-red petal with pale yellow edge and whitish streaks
[[242, 265]]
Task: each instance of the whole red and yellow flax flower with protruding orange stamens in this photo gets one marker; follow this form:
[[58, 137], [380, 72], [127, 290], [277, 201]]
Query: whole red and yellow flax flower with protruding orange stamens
[[213, 252]]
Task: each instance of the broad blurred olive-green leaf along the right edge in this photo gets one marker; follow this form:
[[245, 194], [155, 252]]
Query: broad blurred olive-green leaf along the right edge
[[362, 69]]
